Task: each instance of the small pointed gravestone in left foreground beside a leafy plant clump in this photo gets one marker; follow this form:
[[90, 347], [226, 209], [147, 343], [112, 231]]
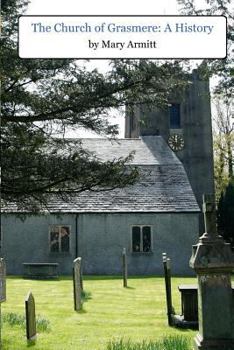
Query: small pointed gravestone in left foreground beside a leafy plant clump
[[31, 331]]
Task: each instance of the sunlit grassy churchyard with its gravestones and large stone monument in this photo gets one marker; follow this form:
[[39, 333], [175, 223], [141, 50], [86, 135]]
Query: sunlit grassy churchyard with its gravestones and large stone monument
[[122, 313]]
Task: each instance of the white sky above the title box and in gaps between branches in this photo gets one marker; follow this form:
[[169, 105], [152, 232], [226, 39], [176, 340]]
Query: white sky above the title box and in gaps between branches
[[104, 7]]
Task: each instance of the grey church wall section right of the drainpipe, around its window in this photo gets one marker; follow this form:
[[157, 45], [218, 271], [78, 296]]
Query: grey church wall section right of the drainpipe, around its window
[[173, 233]]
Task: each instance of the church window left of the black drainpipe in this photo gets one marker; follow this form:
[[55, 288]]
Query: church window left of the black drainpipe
[[59, 239]]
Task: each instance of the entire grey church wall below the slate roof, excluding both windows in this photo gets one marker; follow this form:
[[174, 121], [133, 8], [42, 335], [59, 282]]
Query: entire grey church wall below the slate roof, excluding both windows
[[101, 238]]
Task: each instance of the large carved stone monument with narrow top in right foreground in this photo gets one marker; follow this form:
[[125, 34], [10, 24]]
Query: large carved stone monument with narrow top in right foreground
[[213, 261]]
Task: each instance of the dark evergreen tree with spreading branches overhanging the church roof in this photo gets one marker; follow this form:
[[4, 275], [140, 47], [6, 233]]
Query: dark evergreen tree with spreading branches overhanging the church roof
[[41, 98]]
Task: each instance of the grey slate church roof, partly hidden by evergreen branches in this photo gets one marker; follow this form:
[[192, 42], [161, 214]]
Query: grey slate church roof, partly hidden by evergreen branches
[[163, 185]]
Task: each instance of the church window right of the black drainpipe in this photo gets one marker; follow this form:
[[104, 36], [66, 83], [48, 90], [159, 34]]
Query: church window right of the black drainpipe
[[141, 239]]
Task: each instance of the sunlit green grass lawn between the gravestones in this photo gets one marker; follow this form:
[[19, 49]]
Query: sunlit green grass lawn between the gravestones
[[111, 313]]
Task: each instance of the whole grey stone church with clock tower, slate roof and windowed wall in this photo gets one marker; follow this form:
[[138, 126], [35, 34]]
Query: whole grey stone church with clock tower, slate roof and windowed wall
[[160, 213]]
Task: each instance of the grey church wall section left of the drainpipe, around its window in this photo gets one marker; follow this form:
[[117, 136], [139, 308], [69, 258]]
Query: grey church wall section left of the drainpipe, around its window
[[27, 241]]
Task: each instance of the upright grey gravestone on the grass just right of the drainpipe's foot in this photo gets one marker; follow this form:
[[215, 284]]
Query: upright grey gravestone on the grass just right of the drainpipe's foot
[[77, 284]]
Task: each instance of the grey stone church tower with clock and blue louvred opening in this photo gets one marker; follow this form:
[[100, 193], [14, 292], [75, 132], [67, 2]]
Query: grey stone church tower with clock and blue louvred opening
[[186, 127]]
